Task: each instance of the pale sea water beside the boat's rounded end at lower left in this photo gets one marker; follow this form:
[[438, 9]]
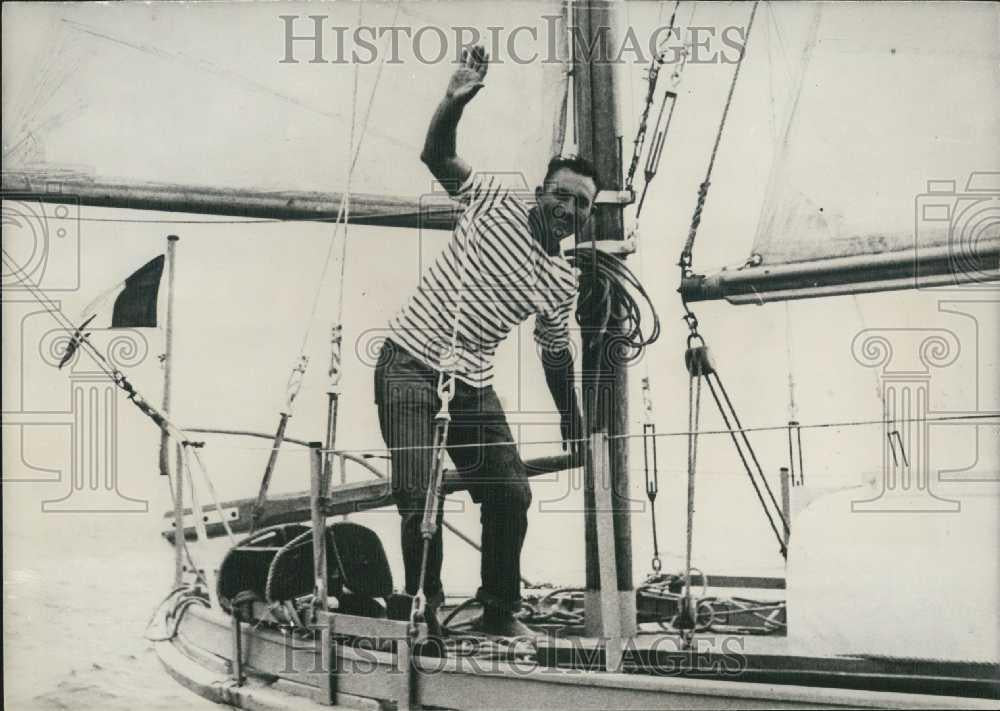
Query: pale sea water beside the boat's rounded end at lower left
[[74, 619]]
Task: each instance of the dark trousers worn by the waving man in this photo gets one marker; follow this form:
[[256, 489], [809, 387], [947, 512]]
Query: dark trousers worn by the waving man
[[407, 399]]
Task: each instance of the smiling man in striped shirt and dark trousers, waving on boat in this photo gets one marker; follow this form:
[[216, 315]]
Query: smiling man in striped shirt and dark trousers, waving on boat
[[502, 266]]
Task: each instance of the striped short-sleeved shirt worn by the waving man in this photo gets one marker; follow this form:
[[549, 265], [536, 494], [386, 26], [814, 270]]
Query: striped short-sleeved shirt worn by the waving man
[[496, 274]]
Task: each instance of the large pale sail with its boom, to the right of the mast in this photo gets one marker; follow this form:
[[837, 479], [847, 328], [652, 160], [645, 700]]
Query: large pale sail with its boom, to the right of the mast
[[890, 153]]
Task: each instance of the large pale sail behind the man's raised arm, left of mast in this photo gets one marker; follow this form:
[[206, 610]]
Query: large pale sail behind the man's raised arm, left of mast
[[184, 94]]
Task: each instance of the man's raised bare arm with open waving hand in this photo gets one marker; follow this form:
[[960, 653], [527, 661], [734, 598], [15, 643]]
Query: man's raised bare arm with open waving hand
[[439, 153]]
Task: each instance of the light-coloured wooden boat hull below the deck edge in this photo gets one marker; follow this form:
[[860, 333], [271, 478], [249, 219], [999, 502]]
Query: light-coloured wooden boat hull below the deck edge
[[284, 672]]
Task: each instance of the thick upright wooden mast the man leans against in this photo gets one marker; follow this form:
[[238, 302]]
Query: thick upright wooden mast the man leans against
[[604, 379]]
